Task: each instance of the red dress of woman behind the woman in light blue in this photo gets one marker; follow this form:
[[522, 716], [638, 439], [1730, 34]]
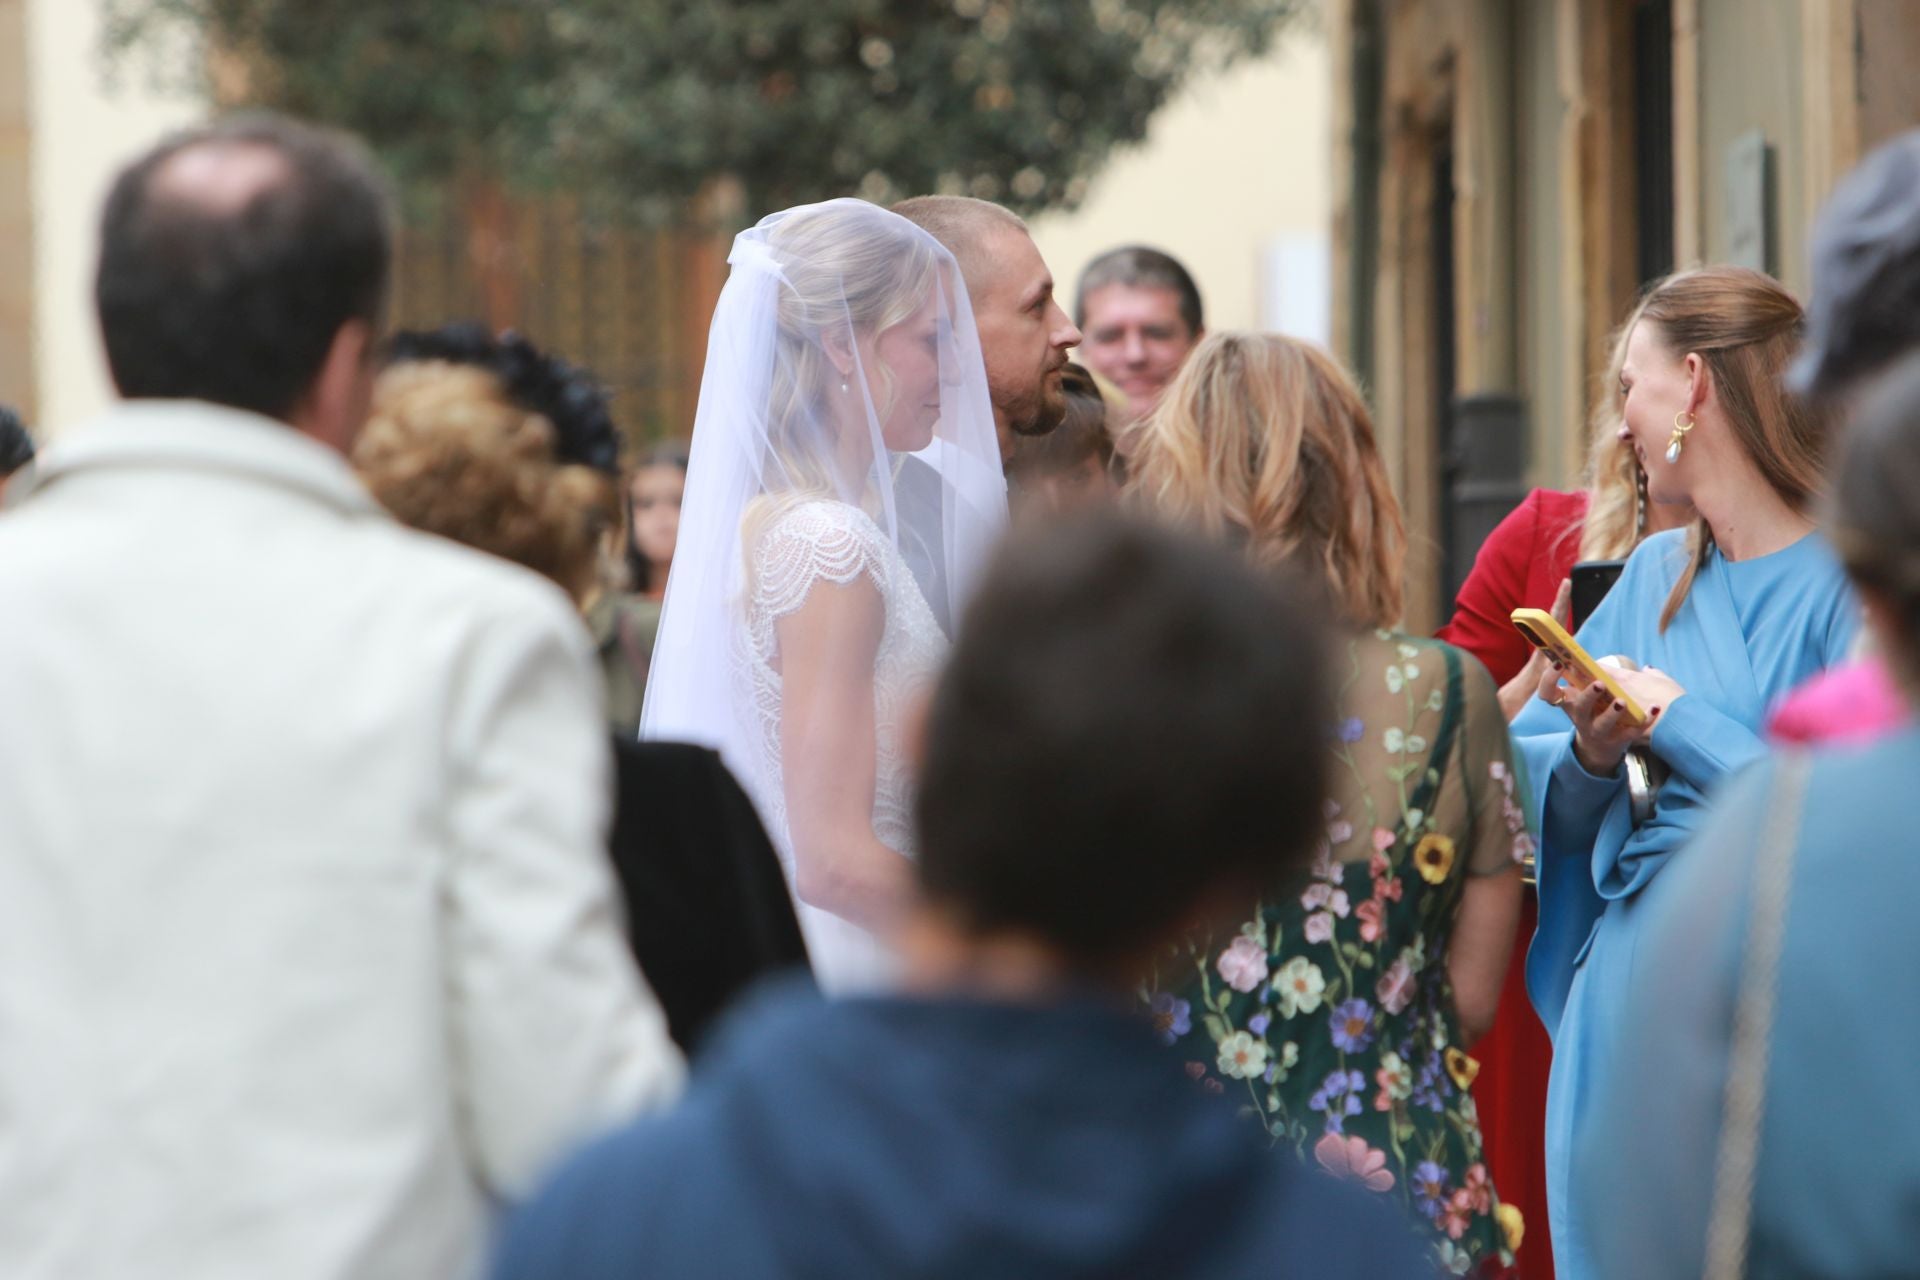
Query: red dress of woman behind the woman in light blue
[[1522, 563]]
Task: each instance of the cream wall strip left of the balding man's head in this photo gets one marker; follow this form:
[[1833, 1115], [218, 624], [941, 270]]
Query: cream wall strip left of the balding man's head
[[84, 130]]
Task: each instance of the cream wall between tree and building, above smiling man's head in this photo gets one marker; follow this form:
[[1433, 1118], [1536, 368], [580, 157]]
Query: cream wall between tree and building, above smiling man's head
[[1234, 174]]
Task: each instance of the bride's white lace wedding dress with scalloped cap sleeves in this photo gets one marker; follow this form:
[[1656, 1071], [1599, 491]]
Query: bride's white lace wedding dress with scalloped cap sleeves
[[811, 544]]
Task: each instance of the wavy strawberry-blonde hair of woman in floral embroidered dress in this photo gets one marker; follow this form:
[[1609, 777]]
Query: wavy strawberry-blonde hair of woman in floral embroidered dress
[[1268, 440]]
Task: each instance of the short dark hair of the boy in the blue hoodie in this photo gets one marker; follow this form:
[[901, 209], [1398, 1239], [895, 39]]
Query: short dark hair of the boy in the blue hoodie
[[1132, 726]]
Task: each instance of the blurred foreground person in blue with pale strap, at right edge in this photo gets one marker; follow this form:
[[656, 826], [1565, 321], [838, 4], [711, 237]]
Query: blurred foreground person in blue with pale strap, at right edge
[[1758, 1112]]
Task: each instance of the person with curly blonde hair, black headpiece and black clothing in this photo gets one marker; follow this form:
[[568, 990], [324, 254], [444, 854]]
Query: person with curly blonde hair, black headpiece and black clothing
[[504, 448]]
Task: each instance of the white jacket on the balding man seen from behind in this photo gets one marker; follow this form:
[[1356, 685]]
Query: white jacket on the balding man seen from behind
[[308, 937]]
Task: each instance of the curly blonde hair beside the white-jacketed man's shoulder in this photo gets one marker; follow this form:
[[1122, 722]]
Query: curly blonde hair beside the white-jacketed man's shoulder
[[450, 454]]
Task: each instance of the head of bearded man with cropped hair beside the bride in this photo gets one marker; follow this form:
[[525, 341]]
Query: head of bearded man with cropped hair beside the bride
[[1024, 335]]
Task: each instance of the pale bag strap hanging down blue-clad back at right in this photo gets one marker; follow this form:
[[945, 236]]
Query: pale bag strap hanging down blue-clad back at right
[[1744, 1101]]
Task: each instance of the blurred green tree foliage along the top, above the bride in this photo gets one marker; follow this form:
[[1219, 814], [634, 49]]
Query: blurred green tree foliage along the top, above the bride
[[650, 101]]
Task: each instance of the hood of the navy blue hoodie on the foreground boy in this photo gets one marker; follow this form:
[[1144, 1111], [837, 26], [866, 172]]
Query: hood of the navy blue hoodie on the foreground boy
[[969, 1139]]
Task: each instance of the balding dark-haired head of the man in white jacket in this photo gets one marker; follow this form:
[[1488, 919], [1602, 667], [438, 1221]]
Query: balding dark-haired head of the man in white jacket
[[233, 256]]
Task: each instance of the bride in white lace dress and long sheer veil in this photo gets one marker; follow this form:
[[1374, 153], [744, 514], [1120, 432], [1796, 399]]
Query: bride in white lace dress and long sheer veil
[[844, 492]]
